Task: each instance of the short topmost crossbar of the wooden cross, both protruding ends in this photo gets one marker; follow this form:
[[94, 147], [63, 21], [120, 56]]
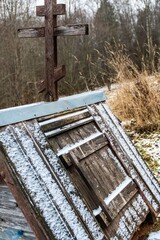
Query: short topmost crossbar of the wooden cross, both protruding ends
[[59, 9]]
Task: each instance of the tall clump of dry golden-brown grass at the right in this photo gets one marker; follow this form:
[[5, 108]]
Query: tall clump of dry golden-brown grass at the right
[[137, 96]]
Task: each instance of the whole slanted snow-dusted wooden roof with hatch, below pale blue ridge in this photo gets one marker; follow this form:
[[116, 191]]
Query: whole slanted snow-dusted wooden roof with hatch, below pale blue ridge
[[80, 165]]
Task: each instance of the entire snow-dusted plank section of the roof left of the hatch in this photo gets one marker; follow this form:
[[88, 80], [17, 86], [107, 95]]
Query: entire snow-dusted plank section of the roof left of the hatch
[[48, 184]]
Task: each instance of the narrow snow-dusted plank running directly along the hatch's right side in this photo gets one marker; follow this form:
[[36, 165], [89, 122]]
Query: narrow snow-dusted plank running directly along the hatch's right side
[[100, 117]]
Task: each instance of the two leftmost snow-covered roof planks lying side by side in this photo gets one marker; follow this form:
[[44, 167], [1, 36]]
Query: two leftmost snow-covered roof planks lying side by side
[[44, 190]]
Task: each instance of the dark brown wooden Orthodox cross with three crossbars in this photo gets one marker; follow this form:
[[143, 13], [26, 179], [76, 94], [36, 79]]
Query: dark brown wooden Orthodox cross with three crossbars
[[53, 73]]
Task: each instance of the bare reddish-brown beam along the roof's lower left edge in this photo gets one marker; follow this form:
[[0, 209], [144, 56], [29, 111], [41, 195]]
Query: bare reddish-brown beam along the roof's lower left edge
[[20, 196]]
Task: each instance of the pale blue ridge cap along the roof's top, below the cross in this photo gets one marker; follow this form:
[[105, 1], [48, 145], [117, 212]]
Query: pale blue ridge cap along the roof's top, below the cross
[[41, 109]]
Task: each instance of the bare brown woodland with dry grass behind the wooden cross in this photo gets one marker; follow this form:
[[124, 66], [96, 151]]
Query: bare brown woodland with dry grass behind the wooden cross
[[123, 46]]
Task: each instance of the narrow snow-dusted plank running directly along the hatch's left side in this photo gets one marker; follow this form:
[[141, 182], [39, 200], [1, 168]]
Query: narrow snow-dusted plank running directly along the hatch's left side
[[77, 201]]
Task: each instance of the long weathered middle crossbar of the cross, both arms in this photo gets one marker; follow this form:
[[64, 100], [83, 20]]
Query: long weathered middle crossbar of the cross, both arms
[[69, 30]]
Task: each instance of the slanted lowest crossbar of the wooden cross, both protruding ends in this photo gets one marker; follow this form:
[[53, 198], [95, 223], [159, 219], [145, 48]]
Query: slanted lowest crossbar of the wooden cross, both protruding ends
[[59, 73]]
